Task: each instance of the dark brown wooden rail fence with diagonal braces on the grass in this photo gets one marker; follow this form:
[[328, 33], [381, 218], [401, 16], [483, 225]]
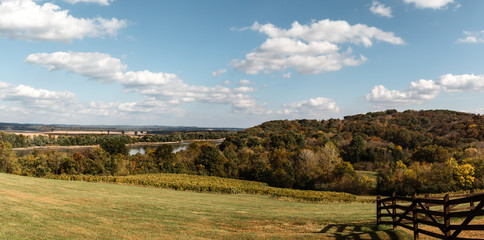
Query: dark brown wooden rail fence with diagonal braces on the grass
[[437, 212]]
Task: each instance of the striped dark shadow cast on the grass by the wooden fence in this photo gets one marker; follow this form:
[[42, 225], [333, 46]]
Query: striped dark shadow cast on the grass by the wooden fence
[[360, 231]]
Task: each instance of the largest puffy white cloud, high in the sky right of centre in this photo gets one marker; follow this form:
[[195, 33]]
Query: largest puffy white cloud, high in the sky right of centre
[[310, 48]]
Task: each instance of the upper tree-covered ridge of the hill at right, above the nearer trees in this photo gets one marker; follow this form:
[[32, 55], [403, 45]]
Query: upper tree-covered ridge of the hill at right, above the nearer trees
[[409, 129]]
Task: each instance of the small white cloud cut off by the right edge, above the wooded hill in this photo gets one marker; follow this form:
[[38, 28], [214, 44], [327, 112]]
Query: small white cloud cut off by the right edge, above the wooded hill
[[462, 83]]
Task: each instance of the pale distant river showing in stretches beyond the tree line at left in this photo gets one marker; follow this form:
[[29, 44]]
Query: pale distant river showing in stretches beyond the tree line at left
[[133, 148]]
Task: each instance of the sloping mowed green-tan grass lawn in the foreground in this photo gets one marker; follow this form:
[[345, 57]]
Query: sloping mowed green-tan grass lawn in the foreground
[[35, 208]]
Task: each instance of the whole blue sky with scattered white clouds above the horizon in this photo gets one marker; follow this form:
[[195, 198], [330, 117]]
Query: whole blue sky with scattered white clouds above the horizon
[[227, 63]]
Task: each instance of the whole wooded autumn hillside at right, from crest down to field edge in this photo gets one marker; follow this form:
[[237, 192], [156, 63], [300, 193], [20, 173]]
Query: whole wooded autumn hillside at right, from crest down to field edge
[[413, 151]]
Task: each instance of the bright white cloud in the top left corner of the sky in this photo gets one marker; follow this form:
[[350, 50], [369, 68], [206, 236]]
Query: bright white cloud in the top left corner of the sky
[[27, 20]]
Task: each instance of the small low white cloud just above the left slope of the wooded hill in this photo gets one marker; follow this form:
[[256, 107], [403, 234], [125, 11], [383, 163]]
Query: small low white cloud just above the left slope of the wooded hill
[[314, 107]]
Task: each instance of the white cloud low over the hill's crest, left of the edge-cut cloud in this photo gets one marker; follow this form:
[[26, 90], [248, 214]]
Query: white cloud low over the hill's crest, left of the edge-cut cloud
[[416, 93]]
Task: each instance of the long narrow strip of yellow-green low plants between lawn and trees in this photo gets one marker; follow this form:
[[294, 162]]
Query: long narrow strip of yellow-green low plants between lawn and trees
[[212, 184]]
